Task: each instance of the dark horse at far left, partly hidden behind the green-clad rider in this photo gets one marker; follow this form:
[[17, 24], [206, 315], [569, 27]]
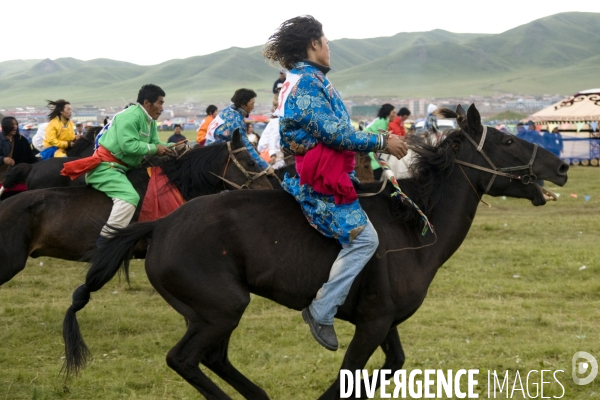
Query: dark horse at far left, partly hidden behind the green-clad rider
[[46, 173]]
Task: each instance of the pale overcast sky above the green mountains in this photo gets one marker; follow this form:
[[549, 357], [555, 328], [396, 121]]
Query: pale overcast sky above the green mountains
[[150, 32]]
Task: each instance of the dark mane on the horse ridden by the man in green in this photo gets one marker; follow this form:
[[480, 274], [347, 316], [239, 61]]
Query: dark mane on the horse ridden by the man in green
[[191, 173]]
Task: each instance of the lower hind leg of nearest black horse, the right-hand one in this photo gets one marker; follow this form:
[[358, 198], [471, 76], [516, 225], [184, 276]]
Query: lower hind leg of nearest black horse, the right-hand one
[[217, 360]]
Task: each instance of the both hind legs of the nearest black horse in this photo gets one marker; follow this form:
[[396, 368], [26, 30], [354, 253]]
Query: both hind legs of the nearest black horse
[[212, 313]]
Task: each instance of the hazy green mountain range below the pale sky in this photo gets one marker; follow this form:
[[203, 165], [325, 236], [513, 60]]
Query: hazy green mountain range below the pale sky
[[559, 54]]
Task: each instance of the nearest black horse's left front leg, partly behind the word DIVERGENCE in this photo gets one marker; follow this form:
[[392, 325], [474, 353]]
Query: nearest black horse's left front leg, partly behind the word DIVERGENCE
[[367, 337]]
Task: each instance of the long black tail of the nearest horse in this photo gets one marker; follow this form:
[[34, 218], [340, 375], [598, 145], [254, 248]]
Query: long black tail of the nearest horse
[[104, 264]]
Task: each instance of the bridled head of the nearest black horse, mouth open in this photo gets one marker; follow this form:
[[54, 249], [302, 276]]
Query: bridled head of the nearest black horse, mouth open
[[505, 164]]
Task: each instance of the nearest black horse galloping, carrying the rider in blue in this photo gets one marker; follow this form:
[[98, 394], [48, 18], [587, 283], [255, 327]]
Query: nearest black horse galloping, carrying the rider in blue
[[209, 282]]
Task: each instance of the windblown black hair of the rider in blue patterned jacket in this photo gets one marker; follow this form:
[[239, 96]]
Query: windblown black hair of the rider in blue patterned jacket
[[287, 45]]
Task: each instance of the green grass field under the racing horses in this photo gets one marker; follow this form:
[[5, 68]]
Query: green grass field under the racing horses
[[514, 297]]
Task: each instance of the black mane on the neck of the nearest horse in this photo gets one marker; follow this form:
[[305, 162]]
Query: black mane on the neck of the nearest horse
[[433, 163]]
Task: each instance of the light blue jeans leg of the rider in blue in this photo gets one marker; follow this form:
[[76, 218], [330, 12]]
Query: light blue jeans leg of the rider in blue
[[346, 267]]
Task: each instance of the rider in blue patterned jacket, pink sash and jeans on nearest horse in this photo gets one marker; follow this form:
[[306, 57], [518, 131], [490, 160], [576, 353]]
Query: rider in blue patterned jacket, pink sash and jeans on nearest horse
[[315, 126]]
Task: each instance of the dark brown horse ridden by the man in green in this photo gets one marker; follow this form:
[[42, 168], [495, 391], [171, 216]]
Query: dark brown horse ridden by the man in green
[[65, 222]]
